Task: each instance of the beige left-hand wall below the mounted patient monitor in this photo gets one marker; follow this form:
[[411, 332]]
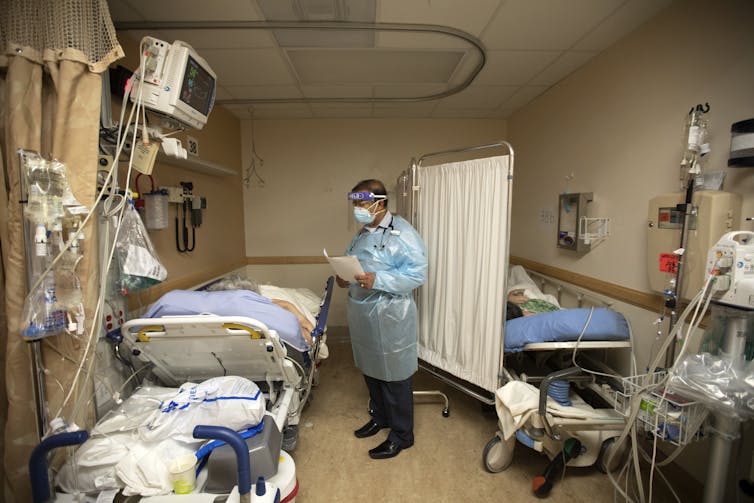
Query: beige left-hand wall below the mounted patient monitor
[[219, 240]]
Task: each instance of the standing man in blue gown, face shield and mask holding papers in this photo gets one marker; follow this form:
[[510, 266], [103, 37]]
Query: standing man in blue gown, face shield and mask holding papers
[[382, 314]]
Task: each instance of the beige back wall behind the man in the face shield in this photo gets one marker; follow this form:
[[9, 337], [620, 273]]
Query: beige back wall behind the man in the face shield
[[309, 167]]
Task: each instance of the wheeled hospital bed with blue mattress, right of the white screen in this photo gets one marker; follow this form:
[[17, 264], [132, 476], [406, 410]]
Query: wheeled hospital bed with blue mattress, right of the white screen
[[555, 395]]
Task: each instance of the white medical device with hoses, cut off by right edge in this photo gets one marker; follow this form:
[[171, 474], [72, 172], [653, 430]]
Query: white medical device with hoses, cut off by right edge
[[731, 261]]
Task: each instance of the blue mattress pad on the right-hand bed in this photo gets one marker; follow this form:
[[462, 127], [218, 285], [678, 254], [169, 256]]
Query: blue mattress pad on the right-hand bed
[[565, 326]]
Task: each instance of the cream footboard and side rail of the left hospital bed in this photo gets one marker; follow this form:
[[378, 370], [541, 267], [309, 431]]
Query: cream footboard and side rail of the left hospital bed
[[193, 348]]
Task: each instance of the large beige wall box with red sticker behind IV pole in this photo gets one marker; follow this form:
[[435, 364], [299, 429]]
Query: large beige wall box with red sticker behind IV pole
[[713, 214]]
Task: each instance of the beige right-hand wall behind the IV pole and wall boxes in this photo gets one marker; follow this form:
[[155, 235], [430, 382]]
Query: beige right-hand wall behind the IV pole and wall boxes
[[617, 125]]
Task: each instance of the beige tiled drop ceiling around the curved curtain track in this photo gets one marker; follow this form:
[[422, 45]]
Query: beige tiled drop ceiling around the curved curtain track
[[529, 48]]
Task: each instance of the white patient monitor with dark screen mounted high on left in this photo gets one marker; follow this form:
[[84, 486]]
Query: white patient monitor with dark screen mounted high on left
[[174, 81]]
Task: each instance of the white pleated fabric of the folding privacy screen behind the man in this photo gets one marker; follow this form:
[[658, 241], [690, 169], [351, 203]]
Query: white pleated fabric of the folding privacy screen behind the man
[[461, 212]]
